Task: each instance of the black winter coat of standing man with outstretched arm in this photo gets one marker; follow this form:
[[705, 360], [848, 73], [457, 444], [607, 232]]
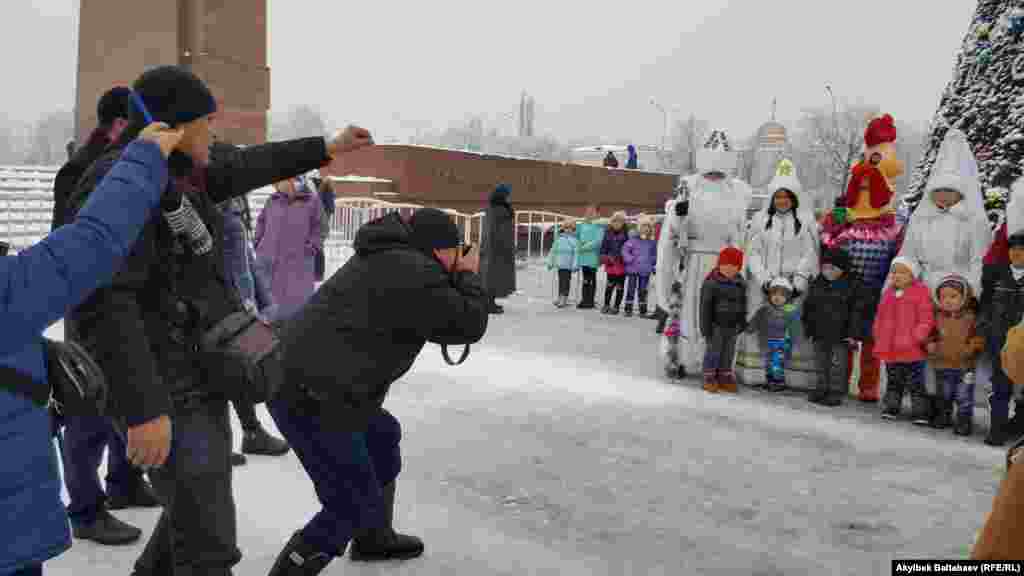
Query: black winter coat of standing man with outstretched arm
[[145, 327]]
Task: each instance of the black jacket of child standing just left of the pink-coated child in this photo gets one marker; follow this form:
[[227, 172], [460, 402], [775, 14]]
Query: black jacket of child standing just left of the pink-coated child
[[837, 311]]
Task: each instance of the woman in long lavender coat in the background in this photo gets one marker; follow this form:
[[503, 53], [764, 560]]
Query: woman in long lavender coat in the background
[[288, 237]]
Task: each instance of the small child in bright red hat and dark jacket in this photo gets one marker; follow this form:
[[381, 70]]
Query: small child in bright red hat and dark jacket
[[723, 318]]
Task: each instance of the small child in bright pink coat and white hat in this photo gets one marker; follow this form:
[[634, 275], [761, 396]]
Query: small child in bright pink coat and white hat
[[905, 322]]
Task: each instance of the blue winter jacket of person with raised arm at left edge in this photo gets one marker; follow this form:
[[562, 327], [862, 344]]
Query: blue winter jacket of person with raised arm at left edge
[[38, 286]]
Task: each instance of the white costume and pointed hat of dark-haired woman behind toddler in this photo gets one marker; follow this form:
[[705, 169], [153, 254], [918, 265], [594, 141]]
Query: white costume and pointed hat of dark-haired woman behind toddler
[[782, 246]]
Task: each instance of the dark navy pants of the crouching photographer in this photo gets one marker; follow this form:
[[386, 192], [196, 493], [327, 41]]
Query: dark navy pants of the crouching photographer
[[348, 469]]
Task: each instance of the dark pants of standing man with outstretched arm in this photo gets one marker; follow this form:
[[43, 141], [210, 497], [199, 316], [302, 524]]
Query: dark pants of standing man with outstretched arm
[[197, 532]]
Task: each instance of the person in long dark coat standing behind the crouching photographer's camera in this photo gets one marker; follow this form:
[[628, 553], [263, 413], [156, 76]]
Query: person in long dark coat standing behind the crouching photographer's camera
[[498, 248]]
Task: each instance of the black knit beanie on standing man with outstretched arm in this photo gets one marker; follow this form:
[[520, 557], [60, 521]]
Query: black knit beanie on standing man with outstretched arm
[[174, 96]]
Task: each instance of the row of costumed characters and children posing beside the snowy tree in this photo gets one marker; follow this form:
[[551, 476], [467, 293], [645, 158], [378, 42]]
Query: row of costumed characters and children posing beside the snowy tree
[[822, 300]]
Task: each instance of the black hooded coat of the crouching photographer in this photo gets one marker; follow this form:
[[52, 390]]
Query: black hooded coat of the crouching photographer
[[366, 325]]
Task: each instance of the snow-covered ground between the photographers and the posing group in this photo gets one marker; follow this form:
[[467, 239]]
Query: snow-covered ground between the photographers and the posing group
[[557, 449]]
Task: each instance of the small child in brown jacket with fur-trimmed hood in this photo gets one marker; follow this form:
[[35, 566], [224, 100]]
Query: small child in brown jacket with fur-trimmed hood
[[953, 351]]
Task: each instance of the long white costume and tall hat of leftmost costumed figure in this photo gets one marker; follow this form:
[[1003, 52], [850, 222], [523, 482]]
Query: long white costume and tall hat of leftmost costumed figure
[[716, 220]]
